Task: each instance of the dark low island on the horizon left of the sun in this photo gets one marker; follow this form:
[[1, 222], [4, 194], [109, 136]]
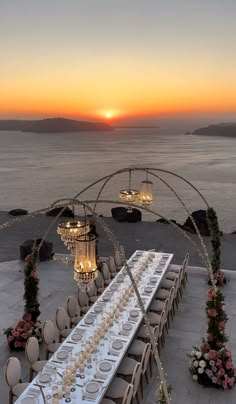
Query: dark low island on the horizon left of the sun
[[53, 125]]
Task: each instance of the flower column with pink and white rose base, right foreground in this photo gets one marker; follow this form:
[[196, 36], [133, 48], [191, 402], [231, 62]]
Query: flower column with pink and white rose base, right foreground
[[211, 364]]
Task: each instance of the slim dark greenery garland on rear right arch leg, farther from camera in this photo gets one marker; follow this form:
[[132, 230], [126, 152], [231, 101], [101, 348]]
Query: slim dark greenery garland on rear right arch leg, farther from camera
[[215, 234]]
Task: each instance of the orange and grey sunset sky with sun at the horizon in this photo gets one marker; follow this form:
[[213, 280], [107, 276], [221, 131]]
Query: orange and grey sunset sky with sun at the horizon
[[117, 58]]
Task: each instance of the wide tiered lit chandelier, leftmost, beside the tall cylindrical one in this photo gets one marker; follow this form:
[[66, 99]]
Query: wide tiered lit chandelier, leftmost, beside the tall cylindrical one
[[69, 231]]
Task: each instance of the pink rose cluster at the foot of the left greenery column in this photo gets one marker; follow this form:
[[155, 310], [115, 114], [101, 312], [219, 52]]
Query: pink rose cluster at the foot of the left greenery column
[[25, 328]]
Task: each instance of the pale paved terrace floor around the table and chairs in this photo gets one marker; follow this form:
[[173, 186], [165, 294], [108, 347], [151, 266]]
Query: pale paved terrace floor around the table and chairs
[[187, 329]]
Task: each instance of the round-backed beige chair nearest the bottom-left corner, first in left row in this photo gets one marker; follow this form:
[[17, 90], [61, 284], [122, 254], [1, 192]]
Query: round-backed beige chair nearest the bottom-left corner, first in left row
[[12, 373]]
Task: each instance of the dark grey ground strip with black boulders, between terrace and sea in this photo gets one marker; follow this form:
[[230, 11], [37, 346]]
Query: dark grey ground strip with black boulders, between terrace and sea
[[133, 236]]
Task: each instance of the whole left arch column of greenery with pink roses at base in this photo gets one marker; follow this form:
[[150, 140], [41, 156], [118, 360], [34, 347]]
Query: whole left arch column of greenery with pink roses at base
[[29, 325]]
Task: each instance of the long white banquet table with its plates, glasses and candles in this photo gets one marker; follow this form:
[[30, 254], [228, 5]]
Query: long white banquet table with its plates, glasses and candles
[[109, 327]]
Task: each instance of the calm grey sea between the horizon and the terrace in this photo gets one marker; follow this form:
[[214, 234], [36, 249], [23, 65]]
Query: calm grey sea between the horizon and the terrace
[[37, 169]]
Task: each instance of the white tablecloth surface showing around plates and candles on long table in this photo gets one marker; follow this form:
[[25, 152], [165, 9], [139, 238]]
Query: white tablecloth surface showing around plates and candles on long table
[[154, 266]]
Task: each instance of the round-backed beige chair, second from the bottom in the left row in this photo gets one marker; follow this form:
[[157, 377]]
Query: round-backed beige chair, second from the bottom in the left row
[[32, 357]]
